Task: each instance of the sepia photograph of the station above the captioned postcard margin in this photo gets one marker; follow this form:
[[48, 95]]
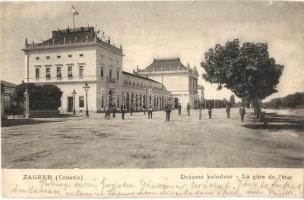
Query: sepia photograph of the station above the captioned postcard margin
[[152, 84]]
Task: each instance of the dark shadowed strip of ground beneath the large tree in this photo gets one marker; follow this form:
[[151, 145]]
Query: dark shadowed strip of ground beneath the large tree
[[276, 122]]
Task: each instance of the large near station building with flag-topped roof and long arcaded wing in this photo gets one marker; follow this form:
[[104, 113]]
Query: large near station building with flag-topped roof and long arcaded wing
[[72, 57]]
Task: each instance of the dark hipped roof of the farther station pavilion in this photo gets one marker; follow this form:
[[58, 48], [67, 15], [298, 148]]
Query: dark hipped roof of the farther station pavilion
[[166, 64]]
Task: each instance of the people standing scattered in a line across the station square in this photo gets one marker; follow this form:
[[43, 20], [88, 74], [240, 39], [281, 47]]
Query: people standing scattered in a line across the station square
[[168, 109]]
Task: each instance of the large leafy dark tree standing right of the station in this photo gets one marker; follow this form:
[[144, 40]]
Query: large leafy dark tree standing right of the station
[[247, 70]]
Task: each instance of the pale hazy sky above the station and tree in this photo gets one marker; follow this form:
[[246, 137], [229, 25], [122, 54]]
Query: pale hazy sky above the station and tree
[[150, 30]]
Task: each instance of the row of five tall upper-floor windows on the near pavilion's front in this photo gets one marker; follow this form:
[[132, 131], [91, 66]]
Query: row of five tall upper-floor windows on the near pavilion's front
[[59, 72]]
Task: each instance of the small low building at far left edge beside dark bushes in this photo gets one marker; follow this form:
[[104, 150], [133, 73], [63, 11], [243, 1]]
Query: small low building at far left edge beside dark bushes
[[7, 91]]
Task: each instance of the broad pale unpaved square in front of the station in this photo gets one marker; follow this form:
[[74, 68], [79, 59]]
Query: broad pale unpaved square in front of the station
[[138, 142]]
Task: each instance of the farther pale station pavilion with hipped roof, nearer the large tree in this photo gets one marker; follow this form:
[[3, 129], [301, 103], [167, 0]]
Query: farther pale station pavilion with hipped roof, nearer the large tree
[[180, 80]]
